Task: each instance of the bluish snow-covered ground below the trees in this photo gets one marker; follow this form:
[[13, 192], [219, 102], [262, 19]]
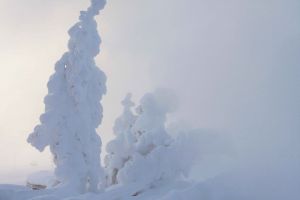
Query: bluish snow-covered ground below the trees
[[234, 185]]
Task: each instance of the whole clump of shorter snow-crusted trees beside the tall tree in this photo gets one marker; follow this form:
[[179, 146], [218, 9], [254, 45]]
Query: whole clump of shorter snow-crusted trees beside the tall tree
[[143, 152]]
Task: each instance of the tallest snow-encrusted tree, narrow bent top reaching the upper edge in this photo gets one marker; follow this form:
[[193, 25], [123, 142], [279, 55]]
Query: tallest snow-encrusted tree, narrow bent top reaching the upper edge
[[72, 108]]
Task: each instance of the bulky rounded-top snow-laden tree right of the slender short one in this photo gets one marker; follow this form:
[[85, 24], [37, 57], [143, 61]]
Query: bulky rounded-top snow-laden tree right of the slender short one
[[150, 160]]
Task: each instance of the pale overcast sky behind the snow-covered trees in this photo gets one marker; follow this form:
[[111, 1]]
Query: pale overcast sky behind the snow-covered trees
[[234, 64]]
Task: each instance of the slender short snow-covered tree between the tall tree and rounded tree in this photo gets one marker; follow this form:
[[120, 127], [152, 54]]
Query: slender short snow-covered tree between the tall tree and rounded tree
[[120, 149]]
